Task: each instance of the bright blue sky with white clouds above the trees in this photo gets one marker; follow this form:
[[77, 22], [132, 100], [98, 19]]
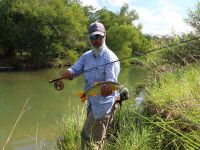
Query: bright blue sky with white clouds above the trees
[[158, 17]]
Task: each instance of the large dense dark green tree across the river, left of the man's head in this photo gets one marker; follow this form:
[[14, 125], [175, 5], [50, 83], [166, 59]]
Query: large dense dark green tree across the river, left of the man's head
[[38, 28]]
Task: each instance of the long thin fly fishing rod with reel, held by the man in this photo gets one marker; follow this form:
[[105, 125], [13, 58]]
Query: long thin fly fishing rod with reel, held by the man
[[138, 54]]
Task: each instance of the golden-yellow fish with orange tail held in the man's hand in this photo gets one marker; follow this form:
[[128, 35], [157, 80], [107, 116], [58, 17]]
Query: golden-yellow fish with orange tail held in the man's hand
[[96, 89]]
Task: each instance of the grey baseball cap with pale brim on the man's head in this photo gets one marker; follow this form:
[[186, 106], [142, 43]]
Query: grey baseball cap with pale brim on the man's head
[[96, 28]]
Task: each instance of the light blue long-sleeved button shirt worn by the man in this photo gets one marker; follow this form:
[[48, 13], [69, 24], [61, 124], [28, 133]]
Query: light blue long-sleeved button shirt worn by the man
[[101, 106]]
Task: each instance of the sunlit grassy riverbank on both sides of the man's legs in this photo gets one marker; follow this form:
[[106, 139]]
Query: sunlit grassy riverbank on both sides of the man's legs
[[169, 118]]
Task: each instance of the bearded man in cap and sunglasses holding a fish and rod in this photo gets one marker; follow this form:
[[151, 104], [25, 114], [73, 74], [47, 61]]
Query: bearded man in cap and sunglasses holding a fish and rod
[[99, 108]]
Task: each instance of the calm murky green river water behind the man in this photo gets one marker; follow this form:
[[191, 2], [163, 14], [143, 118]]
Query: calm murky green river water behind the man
[[36, 129]]
